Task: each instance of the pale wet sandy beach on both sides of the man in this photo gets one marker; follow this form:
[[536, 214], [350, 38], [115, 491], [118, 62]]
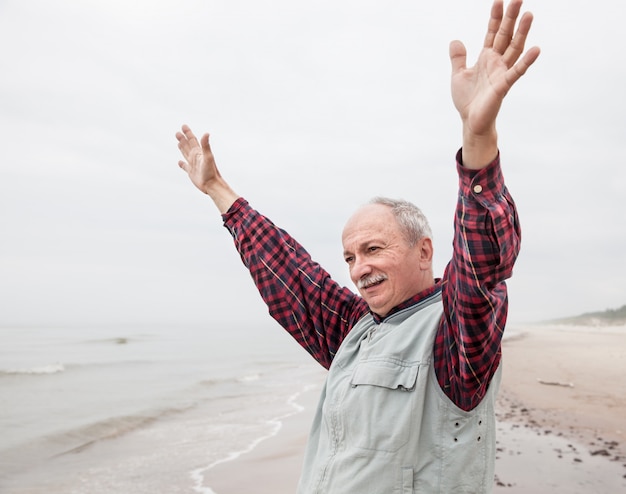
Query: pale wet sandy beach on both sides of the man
[[561, 416]]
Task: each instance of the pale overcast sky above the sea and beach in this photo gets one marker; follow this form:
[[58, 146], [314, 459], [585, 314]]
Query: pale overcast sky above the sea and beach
[[313, 108]]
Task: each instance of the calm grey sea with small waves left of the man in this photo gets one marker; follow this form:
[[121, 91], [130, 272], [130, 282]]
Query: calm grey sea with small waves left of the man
[[115, 409]]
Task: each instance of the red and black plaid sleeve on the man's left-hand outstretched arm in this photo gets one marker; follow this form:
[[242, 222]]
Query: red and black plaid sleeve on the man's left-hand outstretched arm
[[299, 294]]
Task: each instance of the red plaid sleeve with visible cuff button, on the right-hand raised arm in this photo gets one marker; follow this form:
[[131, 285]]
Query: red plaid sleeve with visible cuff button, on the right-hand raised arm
[[486, 244]]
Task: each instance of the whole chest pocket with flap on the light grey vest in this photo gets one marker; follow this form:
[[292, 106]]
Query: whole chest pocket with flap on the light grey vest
[[380, 404]]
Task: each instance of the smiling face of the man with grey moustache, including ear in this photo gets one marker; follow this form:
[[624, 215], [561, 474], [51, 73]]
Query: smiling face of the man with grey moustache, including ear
[[383, 266]]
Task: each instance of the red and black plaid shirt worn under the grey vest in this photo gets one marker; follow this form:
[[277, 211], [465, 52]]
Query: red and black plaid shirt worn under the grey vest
[[319, 313]]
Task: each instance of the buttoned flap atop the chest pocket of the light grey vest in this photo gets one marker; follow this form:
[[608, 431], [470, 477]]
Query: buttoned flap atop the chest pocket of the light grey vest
[[388, 373]]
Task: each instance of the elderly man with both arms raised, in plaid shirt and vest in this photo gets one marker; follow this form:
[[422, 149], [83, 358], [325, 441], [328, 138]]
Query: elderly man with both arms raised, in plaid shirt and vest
[[413, 362]]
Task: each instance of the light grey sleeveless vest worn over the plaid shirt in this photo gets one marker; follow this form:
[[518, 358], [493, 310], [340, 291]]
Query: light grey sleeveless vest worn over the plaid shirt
[[384, 426]]
